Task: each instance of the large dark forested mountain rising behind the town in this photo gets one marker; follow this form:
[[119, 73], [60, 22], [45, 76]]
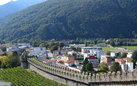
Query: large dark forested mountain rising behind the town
[[71, 19]]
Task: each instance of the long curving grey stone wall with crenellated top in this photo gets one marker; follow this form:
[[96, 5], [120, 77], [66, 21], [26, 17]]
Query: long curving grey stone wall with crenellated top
[[74, 78]]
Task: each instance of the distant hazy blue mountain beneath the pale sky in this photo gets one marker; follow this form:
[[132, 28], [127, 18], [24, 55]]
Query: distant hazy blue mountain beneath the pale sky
[[14, 6]]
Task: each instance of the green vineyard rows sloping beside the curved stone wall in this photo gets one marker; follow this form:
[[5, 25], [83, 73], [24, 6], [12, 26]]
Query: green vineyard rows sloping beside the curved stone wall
[[21, 77]]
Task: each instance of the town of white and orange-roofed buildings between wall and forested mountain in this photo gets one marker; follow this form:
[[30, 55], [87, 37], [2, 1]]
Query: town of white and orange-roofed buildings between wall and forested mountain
[[77, 56]]
